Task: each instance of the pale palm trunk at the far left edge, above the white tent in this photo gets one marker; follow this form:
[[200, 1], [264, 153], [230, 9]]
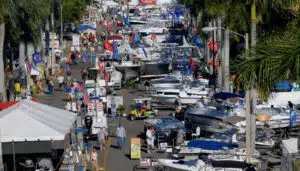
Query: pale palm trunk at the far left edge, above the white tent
[[3, 96]]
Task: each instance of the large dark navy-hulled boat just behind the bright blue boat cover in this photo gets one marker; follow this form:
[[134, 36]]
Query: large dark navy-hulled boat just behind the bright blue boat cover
[[209, 119]]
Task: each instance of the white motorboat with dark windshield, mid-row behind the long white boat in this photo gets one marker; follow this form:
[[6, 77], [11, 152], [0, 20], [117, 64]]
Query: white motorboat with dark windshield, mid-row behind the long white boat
[[168, 82]]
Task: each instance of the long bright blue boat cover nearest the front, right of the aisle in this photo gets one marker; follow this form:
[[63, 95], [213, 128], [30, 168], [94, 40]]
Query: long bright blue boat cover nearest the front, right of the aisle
[[210, 145]]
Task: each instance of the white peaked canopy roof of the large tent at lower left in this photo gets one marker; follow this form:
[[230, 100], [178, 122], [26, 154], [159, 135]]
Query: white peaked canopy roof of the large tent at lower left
[[32, 121]]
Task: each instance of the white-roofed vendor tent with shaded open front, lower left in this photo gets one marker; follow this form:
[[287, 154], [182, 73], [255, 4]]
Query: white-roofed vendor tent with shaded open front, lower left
[[31, 127]]
